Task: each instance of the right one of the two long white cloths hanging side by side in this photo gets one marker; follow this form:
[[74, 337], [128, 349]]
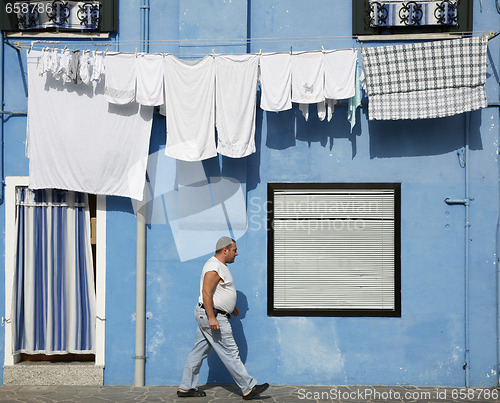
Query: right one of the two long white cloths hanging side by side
[[236, 99]]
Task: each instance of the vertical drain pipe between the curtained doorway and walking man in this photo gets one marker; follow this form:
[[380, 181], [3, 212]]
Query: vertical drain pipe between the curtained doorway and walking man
[[140, 318]]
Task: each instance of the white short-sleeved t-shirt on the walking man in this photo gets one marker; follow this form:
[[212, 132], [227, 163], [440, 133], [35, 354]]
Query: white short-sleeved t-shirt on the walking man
[[225, 293]]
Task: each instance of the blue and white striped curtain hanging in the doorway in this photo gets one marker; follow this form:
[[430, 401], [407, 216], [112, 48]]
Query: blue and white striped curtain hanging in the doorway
[[54, 296]]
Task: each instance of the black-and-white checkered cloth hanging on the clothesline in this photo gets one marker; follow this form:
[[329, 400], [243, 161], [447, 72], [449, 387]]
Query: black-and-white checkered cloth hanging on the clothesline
[[426, 80]]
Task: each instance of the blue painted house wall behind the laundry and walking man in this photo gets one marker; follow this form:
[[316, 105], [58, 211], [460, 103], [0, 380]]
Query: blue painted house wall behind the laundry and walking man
[[423, 347]]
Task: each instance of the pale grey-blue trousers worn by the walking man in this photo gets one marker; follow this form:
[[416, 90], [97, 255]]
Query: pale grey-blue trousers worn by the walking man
[[222, 341]]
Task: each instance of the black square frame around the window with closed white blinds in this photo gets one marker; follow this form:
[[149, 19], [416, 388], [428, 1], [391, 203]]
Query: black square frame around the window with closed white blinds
[[396, 312]]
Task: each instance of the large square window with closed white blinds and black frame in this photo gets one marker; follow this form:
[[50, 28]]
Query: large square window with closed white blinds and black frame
[[334, 249]]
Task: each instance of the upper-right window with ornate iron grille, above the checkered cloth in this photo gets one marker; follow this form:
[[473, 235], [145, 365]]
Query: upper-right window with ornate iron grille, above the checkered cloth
[[393, 17]]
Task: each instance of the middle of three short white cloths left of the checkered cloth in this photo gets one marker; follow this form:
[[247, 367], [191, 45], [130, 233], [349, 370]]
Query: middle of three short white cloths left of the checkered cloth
[[307, 78]]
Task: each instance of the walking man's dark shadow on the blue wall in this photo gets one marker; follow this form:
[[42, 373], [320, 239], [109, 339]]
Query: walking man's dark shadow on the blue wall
[[217, 372]]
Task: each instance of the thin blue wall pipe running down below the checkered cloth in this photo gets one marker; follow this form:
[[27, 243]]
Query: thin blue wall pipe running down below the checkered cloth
[[466, 202]]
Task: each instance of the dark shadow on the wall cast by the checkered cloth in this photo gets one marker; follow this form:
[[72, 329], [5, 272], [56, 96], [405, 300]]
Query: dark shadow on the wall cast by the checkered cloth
[[412, 138]]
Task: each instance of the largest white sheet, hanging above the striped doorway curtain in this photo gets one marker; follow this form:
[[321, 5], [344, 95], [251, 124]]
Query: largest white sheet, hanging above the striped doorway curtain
[[78, 141]]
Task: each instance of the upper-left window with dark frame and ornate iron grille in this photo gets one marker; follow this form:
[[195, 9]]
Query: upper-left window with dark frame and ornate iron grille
[[29, 17]]
